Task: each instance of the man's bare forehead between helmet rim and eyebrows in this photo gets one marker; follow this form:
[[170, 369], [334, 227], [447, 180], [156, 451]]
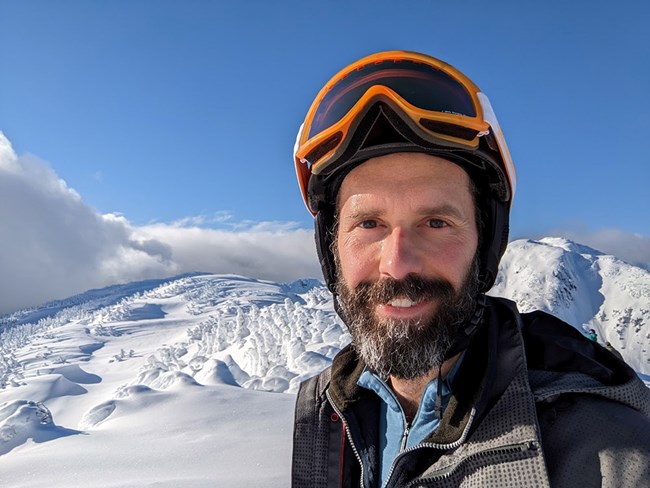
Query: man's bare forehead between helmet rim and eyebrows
[[404, 177]]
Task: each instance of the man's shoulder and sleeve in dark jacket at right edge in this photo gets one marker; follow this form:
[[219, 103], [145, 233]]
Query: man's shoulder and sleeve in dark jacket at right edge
[[593, 411]]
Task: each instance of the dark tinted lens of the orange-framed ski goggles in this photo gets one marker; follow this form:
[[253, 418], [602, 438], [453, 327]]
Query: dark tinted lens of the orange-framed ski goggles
[[419, 84]]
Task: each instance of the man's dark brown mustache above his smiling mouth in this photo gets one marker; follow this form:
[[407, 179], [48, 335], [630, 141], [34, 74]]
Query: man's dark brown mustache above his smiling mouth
[[415, 288]]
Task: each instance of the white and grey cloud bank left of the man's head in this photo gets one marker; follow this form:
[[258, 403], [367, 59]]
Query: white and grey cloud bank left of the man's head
[[53, 245]]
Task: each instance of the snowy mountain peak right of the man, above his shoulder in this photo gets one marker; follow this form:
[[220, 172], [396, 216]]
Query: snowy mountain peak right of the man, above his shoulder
[[583, 287]]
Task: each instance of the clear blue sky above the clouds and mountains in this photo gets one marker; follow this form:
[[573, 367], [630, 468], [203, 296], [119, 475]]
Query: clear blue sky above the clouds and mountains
[[165, 111]]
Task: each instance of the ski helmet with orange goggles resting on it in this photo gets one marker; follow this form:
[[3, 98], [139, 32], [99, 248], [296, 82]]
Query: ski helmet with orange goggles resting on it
[[399, 101]]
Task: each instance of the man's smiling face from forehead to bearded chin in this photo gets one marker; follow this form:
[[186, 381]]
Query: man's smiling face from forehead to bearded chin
[[405, 252]]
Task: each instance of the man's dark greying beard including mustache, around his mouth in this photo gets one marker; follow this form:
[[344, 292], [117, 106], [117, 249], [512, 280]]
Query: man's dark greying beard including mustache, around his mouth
[[407, 349]]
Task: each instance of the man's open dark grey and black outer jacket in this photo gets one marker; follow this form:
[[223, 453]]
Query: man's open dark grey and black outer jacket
[[534, 404]]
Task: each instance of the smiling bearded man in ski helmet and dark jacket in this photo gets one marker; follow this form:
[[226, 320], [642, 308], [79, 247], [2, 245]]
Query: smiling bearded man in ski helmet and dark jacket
[[403, 164]]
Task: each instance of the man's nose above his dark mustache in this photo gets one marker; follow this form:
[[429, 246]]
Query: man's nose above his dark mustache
[[399, 255]]
